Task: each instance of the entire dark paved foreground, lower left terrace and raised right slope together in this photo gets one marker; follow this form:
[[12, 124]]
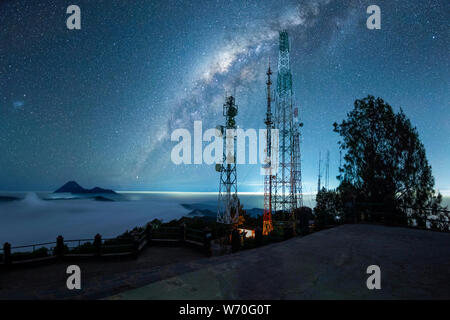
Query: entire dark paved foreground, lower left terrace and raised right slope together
[[329, 264]]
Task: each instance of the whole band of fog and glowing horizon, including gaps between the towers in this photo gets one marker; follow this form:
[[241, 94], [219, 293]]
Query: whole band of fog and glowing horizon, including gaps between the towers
[[35, 220]]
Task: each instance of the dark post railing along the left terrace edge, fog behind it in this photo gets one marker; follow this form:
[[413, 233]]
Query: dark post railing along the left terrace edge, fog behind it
[[99, 247]]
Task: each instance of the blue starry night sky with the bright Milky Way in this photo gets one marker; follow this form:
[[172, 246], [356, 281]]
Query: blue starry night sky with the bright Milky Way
[[98, 105]]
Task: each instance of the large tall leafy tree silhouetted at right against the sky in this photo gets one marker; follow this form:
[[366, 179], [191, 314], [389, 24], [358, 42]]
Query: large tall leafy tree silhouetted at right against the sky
[[385, 162]]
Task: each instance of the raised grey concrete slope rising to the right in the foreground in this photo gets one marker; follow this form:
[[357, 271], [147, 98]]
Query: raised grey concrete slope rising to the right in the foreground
[[331, 264]]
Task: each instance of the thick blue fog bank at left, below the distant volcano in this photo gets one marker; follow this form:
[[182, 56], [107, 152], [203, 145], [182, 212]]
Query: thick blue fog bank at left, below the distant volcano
[[33, 220]]
